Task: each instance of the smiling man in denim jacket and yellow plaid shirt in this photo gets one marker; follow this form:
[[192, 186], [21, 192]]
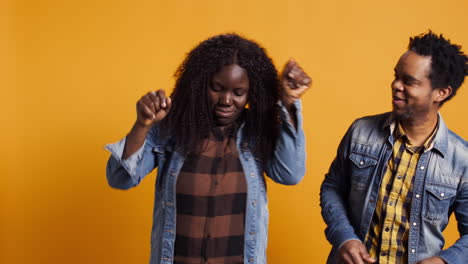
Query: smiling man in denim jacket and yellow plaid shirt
[[398, 176]]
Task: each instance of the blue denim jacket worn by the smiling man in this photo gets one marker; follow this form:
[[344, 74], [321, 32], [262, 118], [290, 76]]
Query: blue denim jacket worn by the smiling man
[[350, 189]]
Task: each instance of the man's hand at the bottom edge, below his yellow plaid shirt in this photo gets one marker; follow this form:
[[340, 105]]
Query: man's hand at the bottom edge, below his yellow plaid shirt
[[353, 252]]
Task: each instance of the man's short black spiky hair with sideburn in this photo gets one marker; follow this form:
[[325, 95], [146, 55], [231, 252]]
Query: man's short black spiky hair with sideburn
[[449, 64]]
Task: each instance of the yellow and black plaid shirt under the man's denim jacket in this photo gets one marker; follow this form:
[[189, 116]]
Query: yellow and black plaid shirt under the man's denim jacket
[[387, 238]]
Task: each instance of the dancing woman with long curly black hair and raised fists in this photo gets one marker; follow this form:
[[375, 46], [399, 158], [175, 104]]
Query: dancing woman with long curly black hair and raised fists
[[228, 120]]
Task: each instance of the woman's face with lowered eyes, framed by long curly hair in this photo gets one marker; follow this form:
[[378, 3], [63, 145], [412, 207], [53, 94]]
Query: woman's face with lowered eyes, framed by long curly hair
[[228, 93]]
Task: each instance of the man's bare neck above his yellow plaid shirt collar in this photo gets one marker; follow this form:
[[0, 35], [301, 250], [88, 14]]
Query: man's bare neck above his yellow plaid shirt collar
[[418, 131]]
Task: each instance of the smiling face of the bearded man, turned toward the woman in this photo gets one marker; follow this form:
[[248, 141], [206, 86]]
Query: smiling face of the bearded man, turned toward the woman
[[413, 96]]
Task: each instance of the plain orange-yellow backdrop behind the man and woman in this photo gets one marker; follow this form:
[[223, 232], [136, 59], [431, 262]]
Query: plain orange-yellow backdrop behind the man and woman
[[72, 71]]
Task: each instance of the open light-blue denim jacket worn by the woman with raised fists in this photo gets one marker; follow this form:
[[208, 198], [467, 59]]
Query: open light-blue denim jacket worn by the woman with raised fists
[[286, 167]]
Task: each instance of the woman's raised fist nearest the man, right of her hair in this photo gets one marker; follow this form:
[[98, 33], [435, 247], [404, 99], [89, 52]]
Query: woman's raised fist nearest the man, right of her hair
[[294, 82]]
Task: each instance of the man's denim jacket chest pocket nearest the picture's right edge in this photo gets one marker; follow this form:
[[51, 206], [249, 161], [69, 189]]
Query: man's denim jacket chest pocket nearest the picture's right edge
[[437, 202]]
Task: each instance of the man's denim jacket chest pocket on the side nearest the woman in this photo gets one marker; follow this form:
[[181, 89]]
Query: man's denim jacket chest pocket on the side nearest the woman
[[362, 167]]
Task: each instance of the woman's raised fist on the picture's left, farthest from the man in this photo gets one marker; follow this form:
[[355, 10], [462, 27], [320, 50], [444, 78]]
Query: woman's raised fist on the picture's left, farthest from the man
[[152, 107]]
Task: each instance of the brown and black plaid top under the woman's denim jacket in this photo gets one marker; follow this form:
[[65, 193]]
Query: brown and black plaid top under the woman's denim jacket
[[211, 198]]
